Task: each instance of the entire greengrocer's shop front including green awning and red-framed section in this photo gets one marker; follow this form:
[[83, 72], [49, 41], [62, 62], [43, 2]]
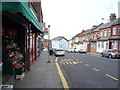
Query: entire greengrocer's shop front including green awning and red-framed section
[[19, 28]]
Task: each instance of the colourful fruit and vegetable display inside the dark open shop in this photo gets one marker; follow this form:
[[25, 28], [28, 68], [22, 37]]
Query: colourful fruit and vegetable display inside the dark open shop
[[12, 51]]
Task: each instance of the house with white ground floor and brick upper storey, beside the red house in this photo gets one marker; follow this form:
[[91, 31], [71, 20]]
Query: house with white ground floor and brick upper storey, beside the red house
[[105, 34]]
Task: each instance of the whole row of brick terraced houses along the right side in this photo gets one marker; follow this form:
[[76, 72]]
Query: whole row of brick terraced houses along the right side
[[100, 37]]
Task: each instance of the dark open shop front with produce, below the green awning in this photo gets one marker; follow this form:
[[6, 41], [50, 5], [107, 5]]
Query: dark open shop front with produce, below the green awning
[[13, 50]]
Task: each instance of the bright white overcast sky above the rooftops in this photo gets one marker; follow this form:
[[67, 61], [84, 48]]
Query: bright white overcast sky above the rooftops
[[69, 17]]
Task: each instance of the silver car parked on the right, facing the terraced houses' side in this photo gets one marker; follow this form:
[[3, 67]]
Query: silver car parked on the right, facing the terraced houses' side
[[111, 53]]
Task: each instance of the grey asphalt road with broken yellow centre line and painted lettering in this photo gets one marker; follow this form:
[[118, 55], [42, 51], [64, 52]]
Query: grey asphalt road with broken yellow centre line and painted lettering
[[89, 71]]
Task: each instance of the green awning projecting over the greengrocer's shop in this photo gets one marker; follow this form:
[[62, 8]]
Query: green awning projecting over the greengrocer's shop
[[22, 7]]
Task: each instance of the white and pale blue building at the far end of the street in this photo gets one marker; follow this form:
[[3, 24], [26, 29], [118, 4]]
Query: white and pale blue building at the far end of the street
[[59, 43]]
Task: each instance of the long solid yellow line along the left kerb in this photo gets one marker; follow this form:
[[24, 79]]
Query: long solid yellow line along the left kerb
[[64, 82]]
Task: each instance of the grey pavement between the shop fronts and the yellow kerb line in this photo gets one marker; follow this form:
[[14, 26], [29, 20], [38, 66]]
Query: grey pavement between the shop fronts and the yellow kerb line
[[41, 74]]
